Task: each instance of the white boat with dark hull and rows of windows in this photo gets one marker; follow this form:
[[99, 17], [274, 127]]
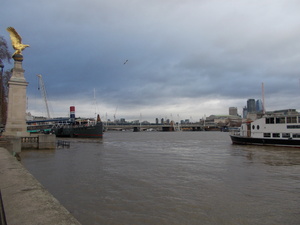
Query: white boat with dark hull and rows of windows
[[275, 130]]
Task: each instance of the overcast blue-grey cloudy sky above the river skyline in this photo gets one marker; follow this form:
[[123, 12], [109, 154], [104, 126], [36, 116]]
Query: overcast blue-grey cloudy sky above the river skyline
[[186, 59]]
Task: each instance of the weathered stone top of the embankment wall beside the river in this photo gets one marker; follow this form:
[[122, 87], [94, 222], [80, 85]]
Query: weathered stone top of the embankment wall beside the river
[[25, 200]]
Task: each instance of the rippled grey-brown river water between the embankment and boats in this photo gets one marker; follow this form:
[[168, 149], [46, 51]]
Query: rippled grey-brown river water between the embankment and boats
[[171, 178]]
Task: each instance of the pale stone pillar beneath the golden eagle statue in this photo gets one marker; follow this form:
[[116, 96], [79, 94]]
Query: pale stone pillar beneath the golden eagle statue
[[16, 112]]
